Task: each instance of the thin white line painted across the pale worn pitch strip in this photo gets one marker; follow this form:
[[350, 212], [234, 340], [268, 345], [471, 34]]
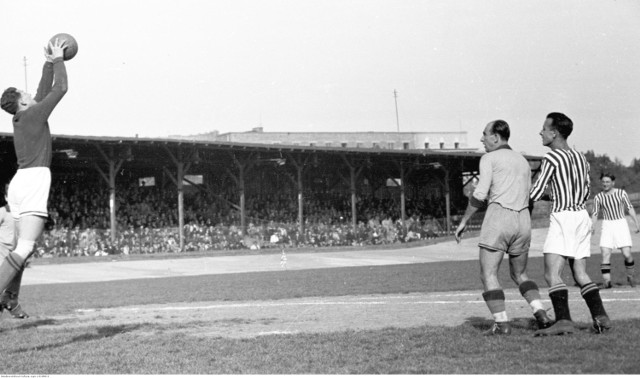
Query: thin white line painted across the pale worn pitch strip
[[330, 303]]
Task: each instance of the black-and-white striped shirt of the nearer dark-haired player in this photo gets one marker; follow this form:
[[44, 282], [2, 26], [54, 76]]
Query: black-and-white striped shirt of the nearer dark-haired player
[[567, 172]]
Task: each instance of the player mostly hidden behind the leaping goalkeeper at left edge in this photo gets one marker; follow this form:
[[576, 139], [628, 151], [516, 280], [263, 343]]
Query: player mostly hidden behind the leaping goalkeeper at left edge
[[9, 298]]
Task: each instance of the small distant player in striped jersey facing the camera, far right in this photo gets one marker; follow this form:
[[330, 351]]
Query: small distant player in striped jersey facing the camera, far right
[[615, 229]]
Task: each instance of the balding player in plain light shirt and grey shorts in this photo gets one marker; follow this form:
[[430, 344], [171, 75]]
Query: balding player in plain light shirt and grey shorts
[[505, 179]]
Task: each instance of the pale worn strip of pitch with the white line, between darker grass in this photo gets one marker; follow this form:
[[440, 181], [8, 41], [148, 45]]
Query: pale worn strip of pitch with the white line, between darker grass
[[311, 315]]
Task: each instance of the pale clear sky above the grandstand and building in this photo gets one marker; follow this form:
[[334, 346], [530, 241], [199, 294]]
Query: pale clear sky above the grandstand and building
[[155, 68]]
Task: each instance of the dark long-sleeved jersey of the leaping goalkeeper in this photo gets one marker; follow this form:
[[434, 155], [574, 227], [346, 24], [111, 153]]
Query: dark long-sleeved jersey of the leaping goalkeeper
[[31, 135]]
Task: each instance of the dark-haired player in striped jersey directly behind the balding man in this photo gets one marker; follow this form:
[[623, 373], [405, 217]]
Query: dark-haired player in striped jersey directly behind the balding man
[[566, 172]]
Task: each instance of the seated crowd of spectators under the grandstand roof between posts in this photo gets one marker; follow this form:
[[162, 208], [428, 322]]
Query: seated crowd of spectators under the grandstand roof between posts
[[148, 221]]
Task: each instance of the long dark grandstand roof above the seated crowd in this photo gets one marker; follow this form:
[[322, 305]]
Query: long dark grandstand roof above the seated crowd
[[86, 151]]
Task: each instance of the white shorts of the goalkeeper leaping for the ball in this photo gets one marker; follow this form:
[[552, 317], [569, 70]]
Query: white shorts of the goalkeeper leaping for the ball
[[29, 192]]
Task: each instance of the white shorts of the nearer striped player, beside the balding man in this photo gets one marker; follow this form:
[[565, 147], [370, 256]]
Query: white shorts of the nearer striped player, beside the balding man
[[569, 234]]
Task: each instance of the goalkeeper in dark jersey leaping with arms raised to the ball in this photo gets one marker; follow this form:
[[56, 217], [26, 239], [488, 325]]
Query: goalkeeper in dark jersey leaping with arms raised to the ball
[[29, 188]]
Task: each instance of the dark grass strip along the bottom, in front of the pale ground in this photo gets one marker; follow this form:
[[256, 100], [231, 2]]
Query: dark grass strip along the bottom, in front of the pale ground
[[422, 350]]
